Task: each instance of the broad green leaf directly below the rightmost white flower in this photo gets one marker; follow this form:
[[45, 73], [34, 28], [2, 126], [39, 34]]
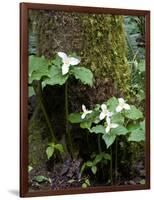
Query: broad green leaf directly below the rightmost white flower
[[133, 113]]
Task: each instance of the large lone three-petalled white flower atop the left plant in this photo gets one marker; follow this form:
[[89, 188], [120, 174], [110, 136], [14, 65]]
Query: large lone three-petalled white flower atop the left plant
[[67, 62]]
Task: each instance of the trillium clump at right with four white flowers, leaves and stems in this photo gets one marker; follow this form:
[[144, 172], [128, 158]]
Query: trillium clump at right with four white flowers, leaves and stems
[[110, 120]]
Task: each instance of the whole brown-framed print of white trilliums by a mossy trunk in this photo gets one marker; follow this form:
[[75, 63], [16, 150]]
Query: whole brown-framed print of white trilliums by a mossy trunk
[[85, 99]]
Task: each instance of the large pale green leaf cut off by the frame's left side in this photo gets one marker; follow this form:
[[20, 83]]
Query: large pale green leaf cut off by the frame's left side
[[36, 63]]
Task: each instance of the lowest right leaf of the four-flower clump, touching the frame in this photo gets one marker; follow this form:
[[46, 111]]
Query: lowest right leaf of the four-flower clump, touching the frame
[[137, 135]]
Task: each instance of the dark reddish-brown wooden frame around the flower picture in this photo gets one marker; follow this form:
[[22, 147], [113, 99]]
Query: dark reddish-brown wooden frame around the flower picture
[[24, 97]]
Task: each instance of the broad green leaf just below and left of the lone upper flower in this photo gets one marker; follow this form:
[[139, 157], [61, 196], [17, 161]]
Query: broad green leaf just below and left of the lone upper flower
[[56, 77]]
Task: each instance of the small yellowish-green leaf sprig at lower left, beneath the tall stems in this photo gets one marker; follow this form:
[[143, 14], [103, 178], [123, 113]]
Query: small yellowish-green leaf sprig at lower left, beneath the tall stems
[[51, 149]]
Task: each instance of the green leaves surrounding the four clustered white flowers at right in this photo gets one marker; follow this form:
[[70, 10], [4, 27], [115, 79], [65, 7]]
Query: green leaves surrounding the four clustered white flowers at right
[[117, 118]]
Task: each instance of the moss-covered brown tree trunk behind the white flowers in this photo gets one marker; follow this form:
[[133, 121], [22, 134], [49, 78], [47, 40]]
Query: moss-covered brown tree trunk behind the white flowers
[[100, 42]]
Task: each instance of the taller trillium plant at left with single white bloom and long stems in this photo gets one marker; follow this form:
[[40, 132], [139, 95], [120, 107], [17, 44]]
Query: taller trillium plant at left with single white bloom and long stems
[[56, 71]]
